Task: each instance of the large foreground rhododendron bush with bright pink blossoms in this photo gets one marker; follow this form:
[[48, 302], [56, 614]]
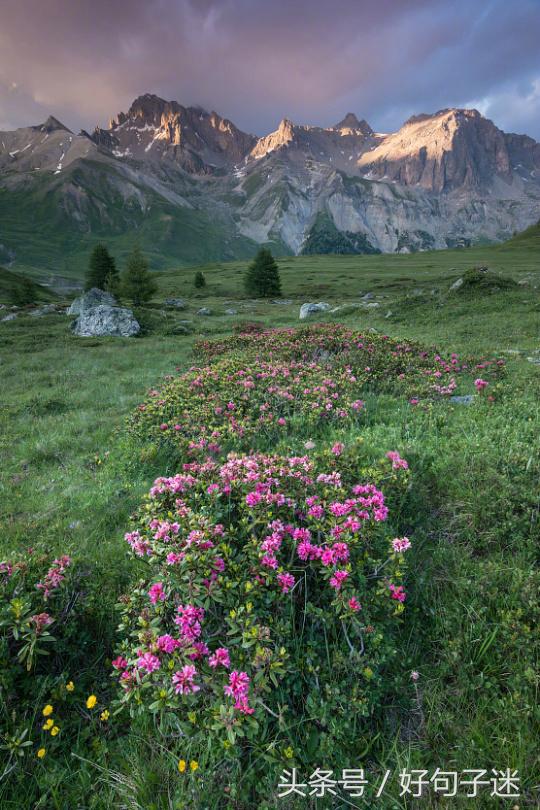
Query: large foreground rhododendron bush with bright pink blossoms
[[271, 602]]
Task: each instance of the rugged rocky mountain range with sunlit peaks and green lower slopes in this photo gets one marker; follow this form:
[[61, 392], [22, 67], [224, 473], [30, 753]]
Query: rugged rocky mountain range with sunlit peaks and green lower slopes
[[192, 187]]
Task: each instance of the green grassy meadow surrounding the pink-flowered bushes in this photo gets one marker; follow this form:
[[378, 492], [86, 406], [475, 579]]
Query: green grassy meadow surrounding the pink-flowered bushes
[[70, 479]]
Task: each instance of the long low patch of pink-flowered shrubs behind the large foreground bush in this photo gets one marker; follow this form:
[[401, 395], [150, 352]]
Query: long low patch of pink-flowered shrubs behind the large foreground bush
[[285, 381]]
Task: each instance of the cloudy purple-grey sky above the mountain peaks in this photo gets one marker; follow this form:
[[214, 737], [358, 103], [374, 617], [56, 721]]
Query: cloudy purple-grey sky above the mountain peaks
[[256, 61]]
